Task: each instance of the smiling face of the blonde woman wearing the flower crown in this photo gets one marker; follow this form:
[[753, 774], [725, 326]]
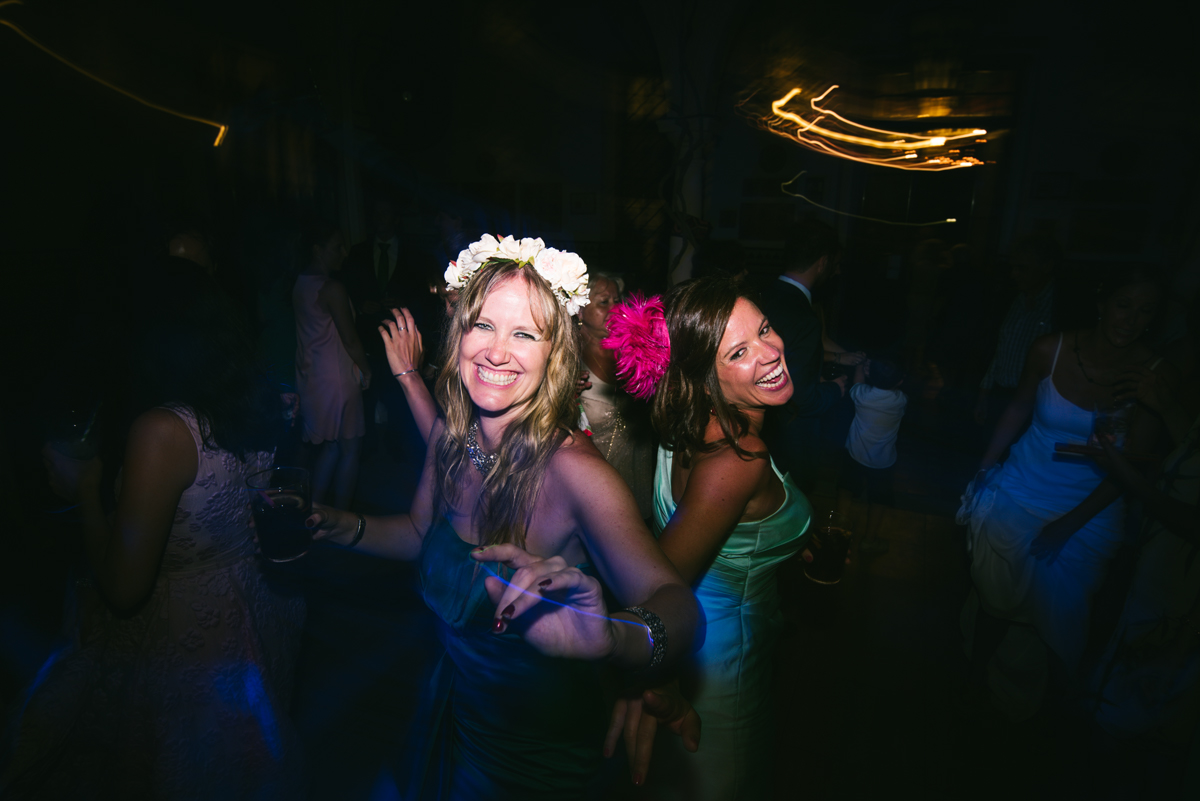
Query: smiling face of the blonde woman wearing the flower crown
[[502, 358]]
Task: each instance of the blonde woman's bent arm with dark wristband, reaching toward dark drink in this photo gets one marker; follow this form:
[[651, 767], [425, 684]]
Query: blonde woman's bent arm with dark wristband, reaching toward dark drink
[[395, 537]]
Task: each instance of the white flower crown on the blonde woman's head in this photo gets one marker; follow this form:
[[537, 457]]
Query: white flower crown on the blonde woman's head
[[566, 272]]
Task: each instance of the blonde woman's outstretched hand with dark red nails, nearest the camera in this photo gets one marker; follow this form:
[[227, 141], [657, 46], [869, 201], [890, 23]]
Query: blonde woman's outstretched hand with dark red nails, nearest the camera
[[556, 609]]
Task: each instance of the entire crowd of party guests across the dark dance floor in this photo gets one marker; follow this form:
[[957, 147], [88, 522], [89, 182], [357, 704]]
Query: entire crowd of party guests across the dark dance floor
[[609, 484]]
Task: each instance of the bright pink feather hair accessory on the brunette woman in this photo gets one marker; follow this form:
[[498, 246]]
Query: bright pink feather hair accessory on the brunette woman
[[638, 333]]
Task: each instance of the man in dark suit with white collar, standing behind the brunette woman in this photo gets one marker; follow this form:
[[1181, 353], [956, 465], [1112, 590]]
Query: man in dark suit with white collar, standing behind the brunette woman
[[793, 432]]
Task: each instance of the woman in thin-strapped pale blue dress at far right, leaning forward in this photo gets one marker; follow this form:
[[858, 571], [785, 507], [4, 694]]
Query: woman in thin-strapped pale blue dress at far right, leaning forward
[[1043, 531]]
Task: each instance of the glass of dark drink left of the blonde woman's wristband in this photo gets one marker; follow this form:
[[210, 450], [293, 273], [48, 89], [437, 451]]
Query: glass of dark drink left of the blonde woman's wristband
[[281, 501]]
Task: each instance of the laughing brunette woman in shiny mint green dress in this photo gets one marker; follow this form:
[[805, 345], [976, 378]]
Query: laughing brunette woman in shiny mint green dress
[[727, 519]]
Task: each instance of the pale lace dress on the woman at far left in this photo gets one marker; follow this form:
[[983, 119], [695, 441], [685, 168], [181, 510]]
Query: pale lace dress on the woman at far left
[[187, 698]]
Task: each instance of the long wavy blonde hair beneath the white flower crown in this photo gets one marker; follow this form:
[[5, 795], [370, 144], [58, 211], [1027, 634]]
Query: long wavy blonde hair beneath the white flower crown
[[511, 489]]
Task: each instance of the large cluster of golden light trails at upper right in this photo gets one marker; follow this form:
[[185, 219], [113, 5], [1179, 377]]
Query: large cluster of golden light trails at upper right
[[932, 152]]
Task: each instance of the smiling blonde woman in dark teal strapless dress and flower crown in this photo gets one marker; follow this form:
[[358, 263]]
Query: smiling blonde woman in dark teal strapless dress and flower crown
[[515, 517]]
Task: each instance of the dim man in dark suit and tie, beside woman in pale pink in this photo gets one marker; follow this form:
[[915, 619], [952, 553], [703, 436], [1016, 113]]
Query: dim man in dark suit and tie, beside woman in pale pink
[[379, 279]]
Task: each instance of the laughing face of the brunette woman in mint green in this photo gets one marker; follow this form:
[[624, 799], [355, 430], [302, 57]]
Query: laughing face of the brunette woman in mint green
[[751, 362]]
